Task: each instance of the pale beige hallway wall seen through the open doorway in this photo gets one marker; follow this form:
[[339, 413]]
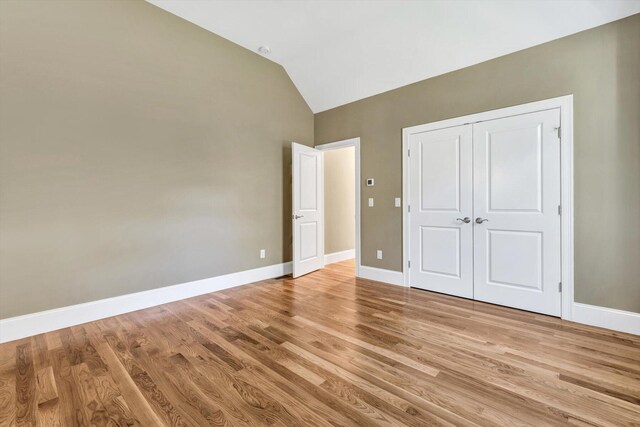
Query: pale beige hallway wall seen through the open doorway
[[339, 200]]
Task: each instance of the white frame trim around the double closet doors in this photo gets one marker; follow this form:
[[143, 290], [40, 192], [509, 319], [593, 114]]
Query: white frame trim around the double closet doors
[[565, 104]]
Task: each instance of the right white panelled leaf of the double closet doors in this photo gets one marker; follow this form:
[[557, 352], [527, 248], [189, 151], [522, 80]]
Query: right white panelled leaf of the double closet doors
[[516, 212]]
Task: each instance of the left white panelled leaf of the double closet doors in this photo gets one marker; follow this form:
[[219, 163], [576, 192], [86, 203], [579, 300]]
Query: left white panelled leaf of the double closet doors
[[441, 211]]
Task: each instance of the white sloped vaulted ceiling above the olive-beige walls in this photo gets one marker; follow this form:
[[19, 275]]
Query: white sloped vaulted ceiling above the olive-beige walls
[[337, 52]]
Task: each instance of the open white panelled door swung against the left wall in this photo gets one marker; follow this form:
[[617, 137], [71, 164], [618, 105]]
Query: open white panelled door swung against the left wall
[[308, 209]]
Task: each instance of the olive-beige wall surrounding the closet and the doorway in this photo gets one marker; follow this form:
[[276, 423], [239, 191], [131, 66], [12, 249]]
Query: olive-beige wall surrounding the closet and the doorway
[[601, 67]]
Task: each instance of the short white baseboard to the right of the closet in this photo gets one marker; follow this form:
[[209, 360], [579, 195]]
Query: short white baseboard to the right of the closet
[[619, 320]]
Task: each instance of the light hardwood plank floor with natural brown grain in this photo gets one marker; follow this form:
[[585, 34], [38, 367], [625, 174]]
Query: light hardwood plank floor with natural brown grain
[[325, 349]]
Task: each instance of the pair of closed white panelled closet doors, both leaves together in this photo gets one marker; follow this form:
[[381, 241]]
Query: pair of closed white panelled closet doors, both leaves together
[[484, 211]]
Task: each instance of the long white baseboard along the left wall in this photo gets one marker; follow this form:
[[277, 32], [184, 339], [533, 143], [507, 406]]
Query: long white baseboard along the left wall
[[14, 328]]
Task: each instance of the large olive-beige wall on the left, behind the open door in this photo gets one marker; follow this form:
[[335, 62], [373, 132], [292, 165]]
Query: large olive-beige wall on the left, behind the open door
[[137, 151]]
